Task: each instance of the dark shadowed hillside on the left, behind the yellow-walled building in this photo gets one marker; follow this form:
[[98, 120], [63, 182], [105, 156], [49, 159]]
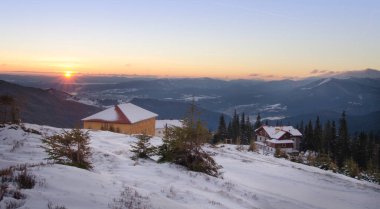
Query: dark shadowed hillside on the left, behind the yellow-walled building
[[47, 107]]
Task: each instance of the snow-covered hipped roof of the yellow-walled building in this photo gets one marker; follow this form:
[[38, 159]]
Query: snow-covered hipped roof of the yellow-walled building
[[124, 113]]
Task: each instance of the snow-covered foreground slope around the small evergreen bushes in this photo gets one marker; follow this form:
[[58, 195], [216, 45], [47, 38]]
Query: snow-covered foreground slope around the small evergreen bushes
[[250, 180]]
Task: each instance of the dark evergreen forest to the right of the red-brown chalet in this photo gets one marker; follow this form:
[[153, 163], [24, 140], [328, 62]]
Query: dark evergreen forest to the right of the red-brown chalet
[[362, 150]]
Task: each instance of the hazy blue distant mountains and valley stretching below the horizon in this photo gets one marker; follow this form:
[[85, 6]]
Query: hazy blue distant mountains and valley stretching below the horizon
[[356, 92]]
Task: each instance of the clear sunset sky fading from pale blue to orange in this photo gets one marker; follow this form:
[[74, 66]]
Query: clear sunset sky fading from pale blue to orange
[[251, 39]]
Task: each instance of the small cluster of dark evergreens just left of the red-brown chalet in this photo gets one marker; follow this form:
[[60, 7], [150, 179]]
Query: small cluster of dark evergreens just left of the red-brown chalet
[[240, 129]]
